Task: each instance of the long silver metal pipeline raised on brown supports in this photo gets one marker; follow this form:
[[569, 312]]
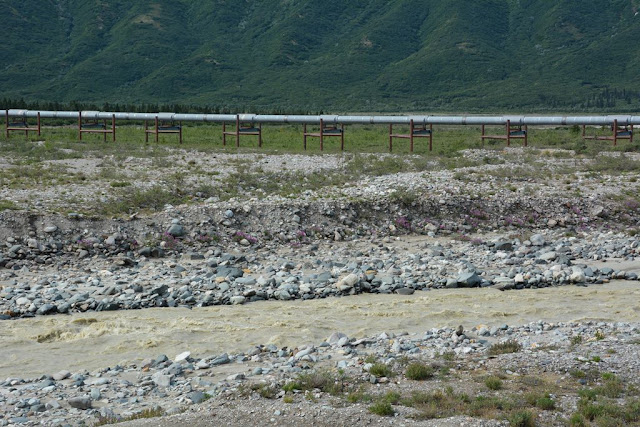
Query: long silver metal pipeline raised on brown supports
[[607, 120]]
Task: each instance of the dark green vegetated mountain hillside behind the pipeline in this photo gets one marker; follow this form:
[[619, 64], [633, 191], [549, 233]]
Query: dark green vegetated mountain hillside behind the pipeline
[[374, 55]]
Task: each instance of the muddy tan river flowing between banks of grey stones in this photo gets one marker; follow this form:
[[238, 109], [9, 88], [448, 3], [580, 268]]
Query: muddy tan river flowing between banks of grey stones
[[47, 344]]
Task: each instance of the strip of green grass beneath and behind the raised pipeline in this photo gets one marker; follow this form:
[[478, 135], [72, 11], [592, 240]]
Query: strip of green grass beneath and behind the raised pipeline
[[62, 141]]
